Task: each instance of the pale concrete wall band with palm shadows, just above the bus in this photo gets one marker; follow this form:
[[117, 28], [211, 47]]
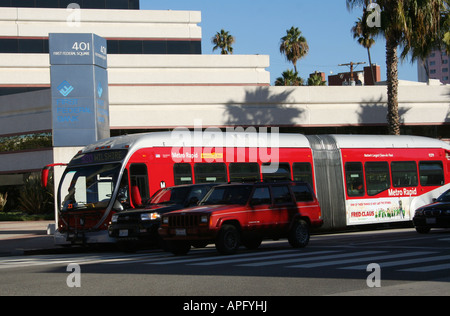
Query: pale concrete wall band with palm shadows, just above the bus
[[279, 106]]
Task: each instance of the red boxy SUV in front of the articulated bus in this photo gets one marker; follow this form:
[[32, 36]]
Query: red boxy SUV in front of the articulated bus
[[232, 214]]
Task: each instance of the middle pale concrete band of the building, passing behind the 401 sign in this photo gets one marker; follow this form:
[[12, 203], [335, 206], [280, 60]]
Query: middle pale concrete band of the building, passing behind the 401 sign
[[34, 70]]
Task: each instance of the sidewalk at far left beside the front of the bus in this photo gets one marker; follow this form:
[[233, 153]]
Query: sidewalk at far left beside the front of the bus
[[19, 238]]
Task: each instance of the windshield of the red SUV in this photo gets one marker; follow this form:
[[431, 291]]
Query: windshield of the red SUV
[[228, 195]]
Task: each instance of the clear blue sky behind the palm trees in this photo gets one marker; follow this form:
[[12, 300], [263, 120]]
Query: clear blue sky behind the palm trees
[[258, 26]]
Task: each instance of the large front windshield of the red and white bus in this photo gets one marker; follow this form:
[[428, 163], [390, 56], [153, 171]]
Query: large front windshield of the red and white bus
[[88, 187]]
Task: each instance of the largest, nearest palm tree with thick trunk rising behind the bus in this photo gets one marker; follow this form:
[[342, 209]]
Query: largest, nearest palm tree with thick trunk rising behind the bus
[[404, 22]]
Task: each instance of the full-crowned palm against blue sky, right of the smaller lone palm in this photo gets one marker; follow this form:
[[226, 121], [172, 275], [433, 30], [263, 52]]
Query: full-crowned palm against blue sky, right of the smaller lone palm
[[294, 46]]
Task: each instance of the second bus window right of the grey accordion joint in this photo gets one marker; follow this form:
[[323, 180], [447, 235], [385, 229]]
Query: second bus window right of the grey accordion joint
[[377, 177]]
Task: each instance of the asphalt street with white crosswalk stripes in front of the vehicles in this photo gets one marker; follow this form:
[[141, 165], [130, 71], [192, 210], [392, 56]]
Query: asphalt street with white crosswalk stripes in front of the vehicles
[[406, 263]]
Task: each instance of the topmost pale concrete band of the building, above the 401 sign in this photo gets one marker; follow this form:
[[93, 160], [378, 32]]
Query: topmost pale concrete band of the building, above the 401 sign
[[36, 22]]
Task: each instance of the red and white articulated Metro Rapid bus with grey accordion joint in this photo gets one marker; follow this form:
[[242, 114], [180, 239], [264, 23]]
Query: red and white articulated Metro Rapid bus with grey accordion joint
[[358, 179]]
